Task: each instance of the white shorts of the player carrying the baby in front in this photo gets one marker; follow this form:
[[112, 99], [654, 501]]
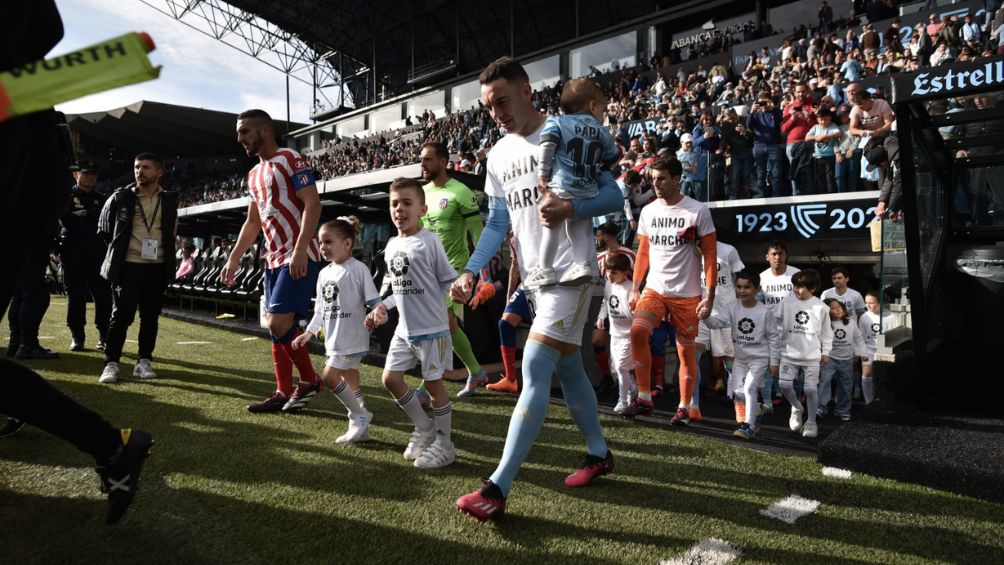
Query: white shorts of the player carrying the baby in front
[[561, 313]]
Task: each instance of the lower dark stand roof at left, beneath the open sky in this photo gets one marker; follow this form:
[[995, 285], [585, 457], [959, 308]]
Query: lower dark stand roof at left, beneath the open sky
[[166, 130]]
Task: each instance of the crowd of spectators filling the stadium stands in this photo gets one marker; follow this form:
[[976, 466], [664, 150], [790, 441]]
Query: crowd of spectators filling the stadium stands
[[795, 121]]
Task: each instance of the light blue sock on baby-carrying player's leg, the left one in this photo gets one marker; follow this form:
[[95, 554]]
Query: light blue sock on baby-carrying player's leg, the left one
[[529, 416]]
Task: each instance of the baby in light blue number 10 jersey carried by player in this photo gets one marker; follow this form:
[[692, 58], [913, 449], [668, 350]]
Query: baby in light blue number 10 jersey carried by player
[[575, 149]]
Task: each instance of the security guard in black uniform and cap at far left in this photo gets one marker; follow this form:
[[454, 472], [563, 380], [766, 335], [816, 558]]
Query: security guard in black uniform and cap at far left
[[83, 253]]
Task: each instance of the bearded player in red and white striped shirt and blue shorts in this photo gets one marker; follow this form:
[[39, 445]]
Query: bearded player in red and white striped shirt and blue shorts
[[285, 202]]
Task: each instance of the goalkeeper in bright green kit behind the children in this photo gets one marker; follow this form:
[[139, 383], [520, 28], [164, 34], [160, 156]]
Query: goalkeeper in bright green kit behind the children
[[454, 216]]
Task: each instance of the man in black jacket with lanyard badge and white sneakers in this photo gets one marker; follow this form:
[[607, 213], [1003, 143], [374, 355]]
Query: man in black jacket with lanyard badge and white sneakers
[[139, 224]]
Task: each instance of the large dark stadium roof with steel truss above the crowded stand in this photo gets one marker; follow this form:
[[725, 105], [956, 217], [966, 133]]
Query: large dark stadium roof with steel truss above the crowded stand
[[378, 50]]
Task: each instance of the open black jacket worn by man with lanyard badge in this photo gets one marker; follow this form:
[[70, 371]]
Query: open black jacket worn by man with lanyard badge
[[116, 228]]
